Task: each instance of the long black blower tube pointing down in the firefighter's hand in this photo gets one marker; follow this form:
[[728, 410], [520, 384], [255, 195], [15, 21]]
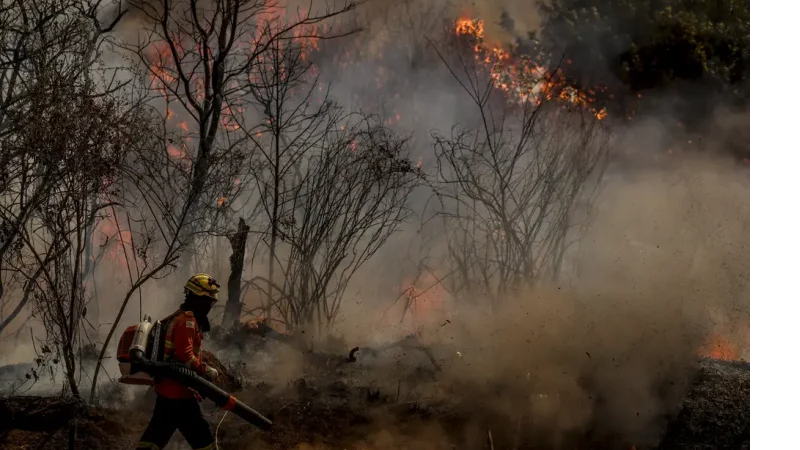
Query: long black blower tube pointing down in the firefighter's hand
[[191, 379]]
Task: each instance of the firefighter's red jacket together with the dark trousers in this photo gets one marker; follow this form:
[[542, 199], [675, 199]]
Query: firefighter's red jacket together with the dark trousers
[[178, 407]]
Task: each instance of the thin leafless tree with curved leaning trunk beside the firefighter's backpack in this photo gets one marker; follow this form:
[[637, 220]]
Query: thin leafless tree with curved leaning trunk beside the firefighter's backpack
[[154, 213]]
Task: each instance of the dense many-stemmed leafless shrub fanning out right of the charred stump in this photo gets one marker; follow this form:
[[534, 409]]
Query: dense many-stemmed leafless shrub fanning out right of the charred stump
[[350, 196]]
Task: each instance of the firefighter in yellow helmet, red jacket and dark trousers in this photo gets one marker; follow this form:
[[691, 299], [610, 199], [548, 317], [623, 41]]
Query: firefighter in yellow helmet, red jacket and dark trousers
[[178, 407]]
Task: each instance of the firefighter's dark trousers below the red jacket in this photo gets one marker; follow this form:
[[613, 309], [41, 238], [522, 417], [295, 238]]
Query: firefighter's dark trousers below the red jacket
[[183, 415]]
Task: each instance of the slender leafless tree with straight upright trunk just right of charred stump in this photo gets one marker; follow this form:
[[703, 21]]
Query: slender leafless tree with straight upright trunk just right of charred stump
[[295, 118]]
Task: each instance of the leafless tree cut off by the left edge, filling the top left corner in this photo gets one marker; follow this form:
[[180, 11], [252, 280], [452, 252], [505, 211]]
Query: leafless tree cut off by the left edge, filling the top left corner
[[41, 42]]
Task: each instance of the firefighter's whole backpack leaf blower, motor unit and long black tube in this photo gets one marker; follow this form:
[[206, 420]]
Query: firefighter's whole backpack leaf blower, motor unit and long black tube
[[140, 354]]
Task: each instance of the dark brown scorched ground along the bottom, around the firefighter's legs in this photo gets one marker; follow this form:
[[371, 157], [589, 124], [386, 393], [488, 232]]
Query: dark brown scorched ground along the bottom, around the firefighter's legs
[[310, 413]]
